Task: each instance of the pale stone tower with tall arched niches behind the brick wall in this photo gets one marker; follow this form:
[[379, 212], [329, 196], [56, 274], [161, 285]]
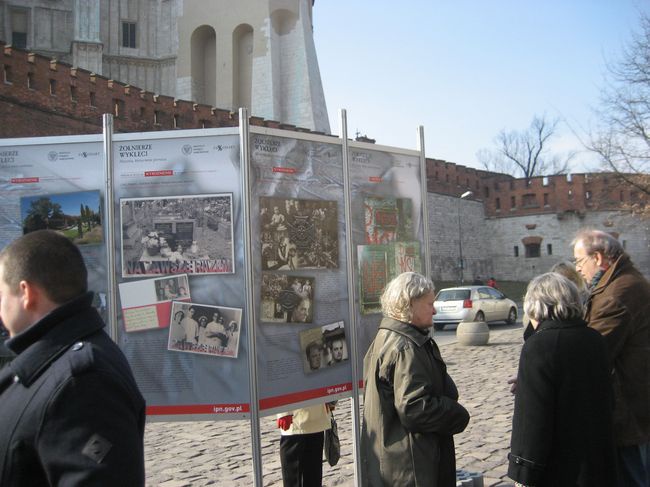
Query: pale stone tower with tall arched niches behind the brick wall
[[258, 54]]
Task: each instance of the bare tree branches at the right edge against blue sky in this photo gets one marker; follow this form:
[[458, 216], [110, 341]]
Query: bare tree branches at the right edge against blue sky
[[623, 138]]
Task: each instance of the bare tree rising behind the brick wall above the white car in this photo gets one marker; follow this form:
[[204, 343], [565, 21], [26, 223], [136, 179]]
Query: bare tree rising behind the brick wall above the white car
[[526, 152]]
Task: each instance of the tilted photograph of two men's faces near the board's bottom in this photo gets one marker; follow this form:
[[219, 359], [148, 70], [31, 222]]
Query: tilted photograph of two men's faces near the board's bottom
[[323, 347]]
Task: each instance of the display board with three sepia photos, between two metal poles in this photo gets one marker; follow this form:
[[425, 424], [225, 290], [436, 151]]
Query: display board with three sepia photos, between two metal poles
[[300, 258]]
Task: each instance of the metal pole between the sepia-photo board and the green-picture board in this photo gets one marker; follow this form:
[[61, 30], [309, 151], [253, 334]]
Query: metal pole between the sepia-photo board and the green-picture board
[[356, 407]]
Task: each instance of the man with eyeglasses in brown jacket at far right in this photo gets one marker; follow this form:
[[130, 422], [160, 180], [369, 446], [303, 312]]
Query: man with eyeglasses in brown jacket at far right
[[619, 308]]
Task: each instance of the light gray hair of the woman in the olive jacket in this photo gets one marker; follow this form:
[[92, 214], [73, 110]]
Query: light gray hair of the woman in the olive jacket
[[398, 294]]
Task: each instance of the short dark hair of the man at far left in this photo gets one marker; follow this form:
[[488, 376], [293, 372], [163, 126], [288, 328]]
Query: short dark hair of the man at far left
[[49, 260]]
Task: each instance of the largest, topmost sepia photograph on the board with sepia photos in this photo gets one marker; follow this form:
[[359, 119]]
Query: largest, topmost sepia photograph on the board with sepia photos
[[298, 234]]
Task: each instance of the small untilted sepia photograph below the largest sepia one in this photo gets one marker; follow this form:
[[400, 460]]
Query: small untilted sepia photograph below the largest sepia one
[[287, 298]]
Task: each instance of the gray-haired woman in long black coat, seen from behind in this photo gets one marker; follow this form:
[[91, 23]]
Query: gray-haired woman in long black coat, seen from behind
[[562, 424]]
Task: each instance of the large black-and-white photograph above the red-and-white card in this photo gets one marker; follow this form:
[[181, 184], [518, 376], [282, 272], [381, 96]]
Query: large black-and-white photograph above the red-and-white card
[[177, 235]]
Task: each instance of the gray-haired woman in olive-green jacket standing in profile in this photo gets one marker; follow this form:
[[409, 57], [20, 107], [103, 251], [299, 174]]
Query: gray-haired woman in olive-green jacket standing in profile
[[411, 409]]
